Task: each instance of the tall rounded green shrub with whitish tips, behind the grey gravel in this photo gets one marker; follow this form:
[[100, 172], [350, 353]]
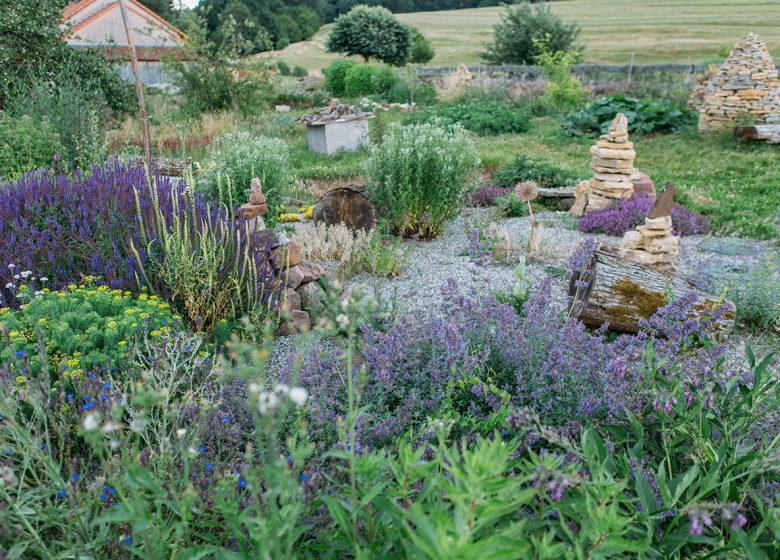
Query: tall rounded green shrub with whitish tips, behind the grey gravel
[[419, 175]]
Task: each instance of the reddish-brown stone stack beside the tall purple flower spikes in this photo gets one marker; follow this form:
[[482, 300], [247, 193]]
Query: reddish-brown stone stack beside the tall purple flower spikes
[[299, 277]]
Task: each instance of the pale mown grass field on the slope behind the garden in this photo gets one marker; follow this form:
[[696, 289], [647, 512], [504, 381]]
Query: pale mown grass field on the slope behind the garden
[[655, 30]]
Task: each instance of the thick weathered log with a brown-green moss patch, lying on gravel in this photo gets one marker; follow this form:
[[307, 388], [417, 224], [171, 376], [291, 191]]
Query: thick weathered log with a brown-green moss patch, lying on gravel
[[620, 292]]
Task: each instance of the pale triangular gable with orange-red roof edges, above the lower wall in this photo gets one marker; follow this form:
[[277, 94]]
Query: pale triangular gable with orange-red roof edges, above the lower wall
[[98, 23]]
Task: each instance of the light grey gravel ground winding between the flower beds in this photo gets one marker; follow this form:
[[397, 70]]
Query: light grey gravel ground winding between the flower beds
[[432, 263]]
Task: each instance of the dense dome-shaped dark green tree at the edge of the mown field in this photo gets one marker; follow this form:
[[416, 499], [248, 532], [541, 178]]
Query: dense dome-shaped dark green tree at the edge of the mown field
[[371, 32]]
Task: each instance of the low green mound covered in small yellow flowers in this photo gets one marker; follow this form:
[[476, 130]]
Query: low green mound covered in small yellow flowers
[[82, 326]]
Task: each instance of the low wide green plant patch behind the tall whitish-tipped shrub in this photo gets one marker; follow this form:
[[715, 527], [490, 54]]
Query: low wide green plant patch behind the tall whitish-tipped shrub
[[486, 119]]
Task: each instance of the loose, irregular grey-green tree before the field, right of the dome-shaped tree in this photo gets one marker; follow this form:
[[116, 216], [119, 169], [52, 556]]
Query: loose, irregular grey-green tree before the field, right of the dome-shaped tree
[[523, 30]]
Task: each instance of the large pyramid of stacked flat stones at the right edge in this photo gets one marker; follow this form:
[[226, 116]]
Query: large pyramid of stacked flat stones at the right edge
[[746, 84]]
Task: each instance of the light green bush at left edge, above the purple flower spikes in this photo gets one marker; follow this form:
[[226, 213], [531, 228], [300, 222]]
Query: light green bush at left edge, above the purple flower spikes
[[25, 145]]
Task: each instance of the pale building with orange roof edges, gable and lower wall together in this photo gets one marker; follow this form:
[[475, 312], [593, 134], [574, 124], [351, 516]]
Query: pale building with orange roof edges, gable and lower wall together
[[98, 23]]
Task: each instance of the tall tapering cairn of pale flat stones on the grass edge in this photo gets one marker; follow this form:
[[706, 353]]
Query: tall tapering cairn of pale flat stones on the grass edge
[[613, 164]]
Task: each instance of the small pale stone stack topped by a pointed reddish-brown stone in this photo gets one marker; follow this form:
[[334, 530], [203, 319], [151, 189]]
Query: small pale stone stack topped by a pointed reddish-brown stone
[[653, 243]]
